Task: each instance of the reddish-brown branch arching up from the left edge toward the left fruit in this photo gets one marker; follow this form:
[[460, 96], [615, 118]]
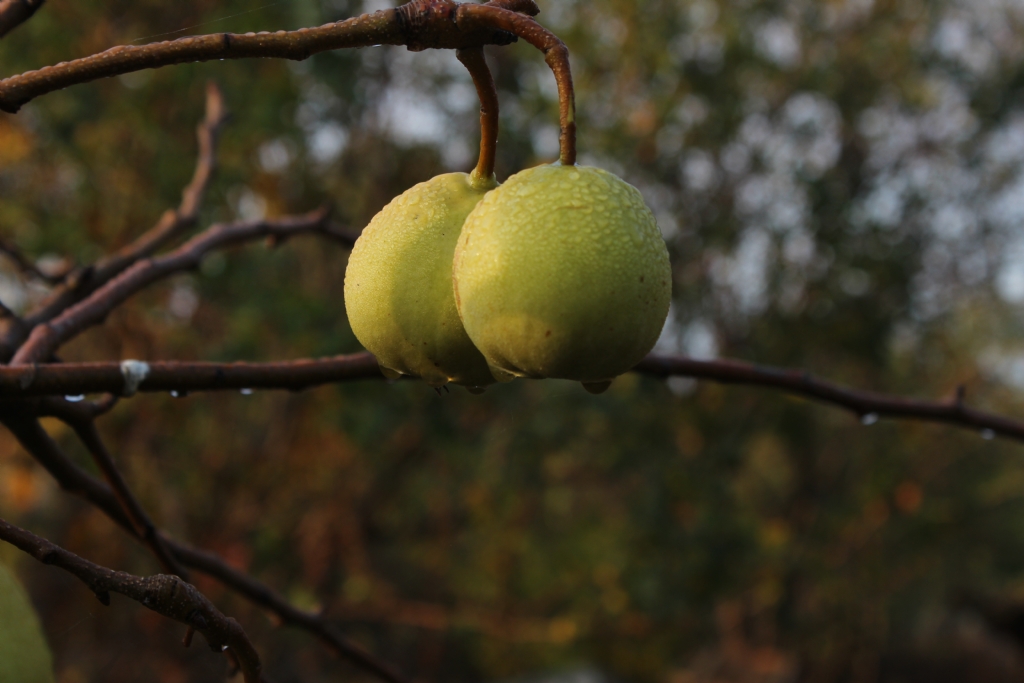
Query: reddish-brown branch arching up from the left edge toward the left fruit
[[47, 338]]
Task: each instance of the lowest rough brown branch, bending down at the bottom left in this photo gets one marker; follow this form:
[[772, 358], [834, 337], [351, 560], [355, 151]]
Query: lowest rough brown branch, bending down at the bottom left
[[163, 594]]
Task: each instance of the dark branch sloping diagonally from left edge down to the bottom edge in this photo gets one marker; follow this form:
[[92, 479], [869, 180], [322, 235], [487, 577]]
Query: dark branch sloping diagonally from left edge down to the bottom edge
[[71, 478]]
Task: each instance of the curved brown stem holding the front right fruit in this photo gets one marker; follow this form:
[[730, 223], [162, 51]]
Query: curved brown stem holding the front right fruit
[[556, 54]]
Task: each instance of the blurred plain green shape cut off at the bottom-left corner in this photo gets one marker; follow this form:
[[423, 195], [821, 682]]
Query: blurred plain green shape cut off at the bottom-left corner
[[25, 658]]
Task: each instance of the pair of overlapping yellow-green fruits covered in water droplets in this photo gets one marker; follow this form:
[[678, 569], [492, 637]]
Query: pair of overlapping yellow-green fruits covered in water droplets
[[561, 273]]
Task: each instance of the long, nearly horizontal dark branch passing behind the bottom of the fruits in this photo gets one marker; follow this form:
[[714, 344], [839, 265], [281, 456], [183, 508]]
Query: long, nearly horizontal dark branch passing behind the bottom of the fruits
[[172, 376]]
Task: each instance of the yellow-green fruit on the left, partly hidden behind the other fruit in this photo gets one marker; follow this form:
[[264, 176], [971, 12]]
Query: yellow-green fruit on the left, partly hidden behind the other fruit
[[399, 284]]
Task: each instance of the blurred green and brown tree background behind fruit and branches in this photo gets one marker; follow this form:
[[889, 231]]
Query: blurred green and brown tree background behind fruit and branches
[[841, 184]]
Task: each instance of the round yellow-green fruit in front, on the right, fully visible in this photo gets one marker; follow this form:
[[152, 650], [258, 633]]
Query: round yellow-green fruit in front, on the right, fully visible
[[563, 273]]
